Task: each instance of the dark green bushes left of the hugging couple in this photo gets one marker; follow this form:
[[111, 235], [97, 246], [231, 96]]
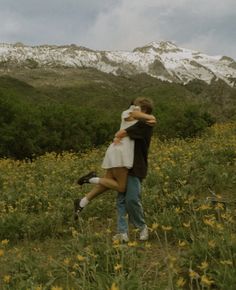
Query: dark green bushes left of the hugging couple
[[28, 130]]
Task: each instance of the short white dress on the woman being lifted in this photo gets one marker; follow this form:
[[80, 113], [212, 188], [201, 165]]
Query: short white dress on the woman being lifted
[[121, 154]]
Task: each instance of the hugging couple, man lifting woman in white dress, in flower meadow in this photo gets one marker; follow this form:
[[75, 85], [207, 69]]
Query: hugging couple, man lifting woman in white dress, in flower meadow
[[125, 162]]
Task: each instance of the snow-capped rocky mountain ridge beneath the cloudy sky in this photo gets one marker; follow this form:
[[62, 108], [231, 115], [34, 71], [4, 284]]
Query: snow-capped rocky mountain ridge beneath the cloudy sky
[[162, 60]]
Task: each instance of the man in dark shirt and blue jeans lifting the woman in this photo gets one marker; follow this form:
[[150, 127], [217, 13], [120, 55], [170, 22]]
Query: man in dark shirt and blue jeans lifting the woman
[[130, 201]]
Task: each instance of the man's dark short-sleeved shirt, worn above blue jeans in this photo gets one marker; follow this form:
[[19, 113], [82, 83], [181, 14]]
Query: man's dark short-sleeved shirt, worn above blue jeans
[[141, 133]]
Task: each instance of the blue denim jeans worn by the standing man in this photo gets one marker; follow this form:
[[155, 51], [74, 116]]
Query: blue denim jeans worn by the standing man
[[129, 203]]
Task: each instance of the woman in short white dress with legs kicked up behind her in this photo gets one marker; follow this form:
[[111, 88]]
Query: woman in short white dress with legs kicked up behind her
[[119, 156]]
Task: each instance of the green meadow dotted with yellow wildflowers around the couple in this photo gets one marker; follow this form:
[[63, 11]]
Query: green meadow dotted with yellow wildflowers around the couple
[[190, 205]]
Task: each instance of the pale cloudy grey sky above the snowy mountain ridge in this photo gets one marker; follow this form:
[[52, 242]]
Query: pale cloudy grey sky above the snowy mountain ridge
[[204, 25]]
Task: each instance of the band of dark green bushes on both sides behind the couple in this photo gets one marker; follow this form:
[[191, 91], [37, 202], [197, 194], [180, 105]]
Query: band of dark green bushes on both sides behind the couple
[[28, 129]]
